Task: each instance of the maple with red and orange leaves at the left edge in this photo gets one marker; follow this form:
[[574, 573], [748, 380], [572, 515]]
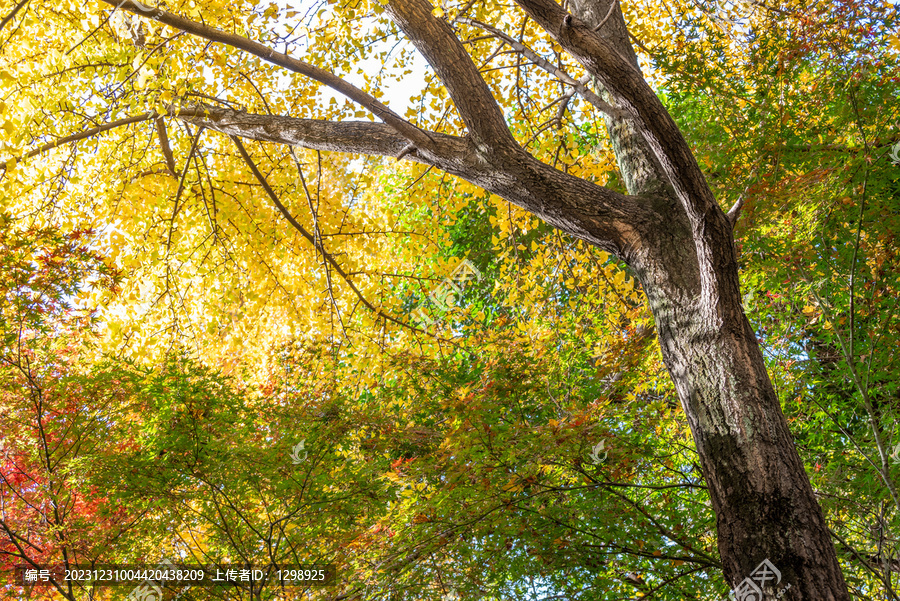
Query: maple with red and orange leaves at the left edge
[[50, 414]]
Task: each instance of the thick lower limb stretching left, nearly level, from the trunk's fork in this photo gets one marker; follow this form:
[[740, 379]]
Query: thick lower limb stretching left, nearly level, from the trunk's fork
[[576, 206]]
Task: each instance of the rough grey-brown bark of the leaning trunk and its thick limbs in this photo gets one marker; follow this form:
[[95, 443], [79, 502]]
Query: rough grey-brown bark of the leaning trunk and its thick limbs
[[669, 229]]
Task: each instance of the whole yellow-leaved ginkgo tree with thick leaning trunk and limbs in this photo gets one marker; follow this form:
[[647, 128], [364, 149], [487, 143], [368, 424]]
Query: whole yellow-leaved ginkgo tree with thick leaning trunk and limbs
[[199, 108]]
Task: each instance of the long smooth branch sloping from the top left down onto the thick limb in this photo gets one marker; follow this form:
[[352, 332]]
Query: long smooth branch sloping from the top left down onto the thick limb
[[400, 125]]
